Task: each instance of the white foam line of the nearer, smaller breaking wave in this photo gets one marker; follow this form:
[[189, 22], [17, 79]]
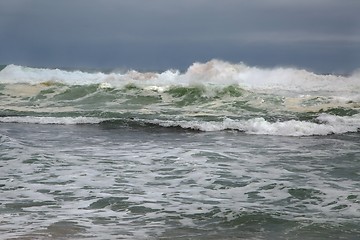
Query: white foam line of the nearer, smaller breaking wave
[[327, 124]]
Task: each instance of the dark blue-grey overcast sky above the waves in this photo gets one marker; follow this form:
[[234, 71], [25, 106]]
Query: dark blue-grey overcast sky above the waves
[[318, 35]]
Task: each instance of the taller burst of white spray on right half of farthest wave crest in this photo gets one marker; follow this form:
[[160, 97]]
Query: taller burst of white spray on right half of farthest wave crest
[[288, 79]]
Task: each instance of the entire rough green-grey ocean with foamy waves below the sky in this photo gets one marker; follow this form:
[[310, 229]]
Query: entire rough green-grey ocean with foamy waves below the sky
[[219, 151]]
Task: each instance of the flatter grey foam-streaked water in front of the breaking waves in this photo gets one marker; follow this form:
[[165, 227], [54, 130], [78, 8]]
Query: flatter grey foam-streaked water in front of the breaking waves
[[106, 182]]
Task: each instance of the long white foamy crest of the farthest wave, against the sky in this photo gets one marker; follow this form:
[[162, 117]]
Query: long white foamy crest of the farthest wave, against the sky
[[212, 72]]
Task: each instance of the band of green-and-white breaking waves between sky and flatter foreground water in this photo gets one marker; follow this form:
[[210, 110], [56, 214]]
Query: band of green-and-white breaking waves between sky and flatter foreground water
[[212, 96]]
